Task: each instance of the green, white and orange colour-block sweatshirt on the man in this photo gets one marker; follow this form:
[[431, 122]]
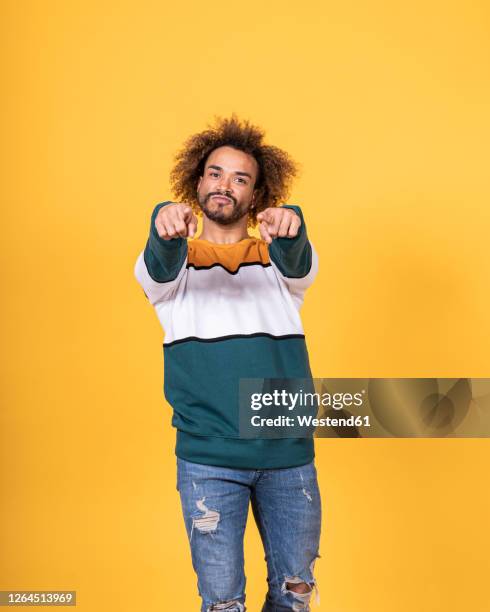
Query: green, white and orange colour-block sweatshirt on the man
[[229, 311]]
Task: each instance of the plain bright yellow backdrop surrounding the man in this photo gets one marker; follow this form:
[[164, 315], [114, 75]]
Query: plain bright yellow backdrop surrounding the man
[[386, 106]]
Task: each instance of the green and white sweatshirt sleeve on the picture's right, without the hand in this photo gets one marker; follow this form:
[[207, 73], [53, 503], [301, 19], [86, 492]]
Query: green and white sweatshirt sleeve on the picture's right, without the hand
[[295, 259]]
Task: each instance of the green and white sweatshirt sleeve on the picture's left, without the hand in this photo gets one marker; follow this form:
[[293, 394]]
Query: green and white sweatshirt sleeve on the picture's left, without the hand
[[161, 265]]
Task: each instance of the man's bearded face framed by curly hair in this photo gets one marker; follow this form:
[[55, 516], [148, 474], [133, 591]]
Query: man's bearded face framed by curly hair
[[226, 189]]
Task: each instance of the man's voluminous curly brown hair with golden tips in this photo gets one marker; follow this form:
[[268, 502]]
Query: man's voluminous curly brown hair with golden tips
[[276, 167]]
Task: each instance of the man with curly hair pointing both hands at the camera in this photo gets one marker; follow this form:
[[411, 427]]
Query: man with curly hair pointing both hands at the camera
[[229, 304]]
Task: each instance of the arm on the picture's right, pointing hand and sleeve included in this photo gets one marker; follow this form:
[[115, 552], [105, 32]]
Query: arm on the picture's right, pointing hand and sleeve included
[[290, 251]]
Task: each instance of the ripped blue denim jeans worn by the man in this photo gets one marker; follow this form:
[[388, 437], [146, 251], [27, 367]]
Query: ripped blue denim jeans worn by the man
[[287, 509]]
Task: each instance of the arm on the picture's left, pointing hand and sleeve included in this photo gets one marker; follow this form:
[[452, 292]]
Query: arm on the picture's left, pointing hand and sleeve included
[[161, 265]]
